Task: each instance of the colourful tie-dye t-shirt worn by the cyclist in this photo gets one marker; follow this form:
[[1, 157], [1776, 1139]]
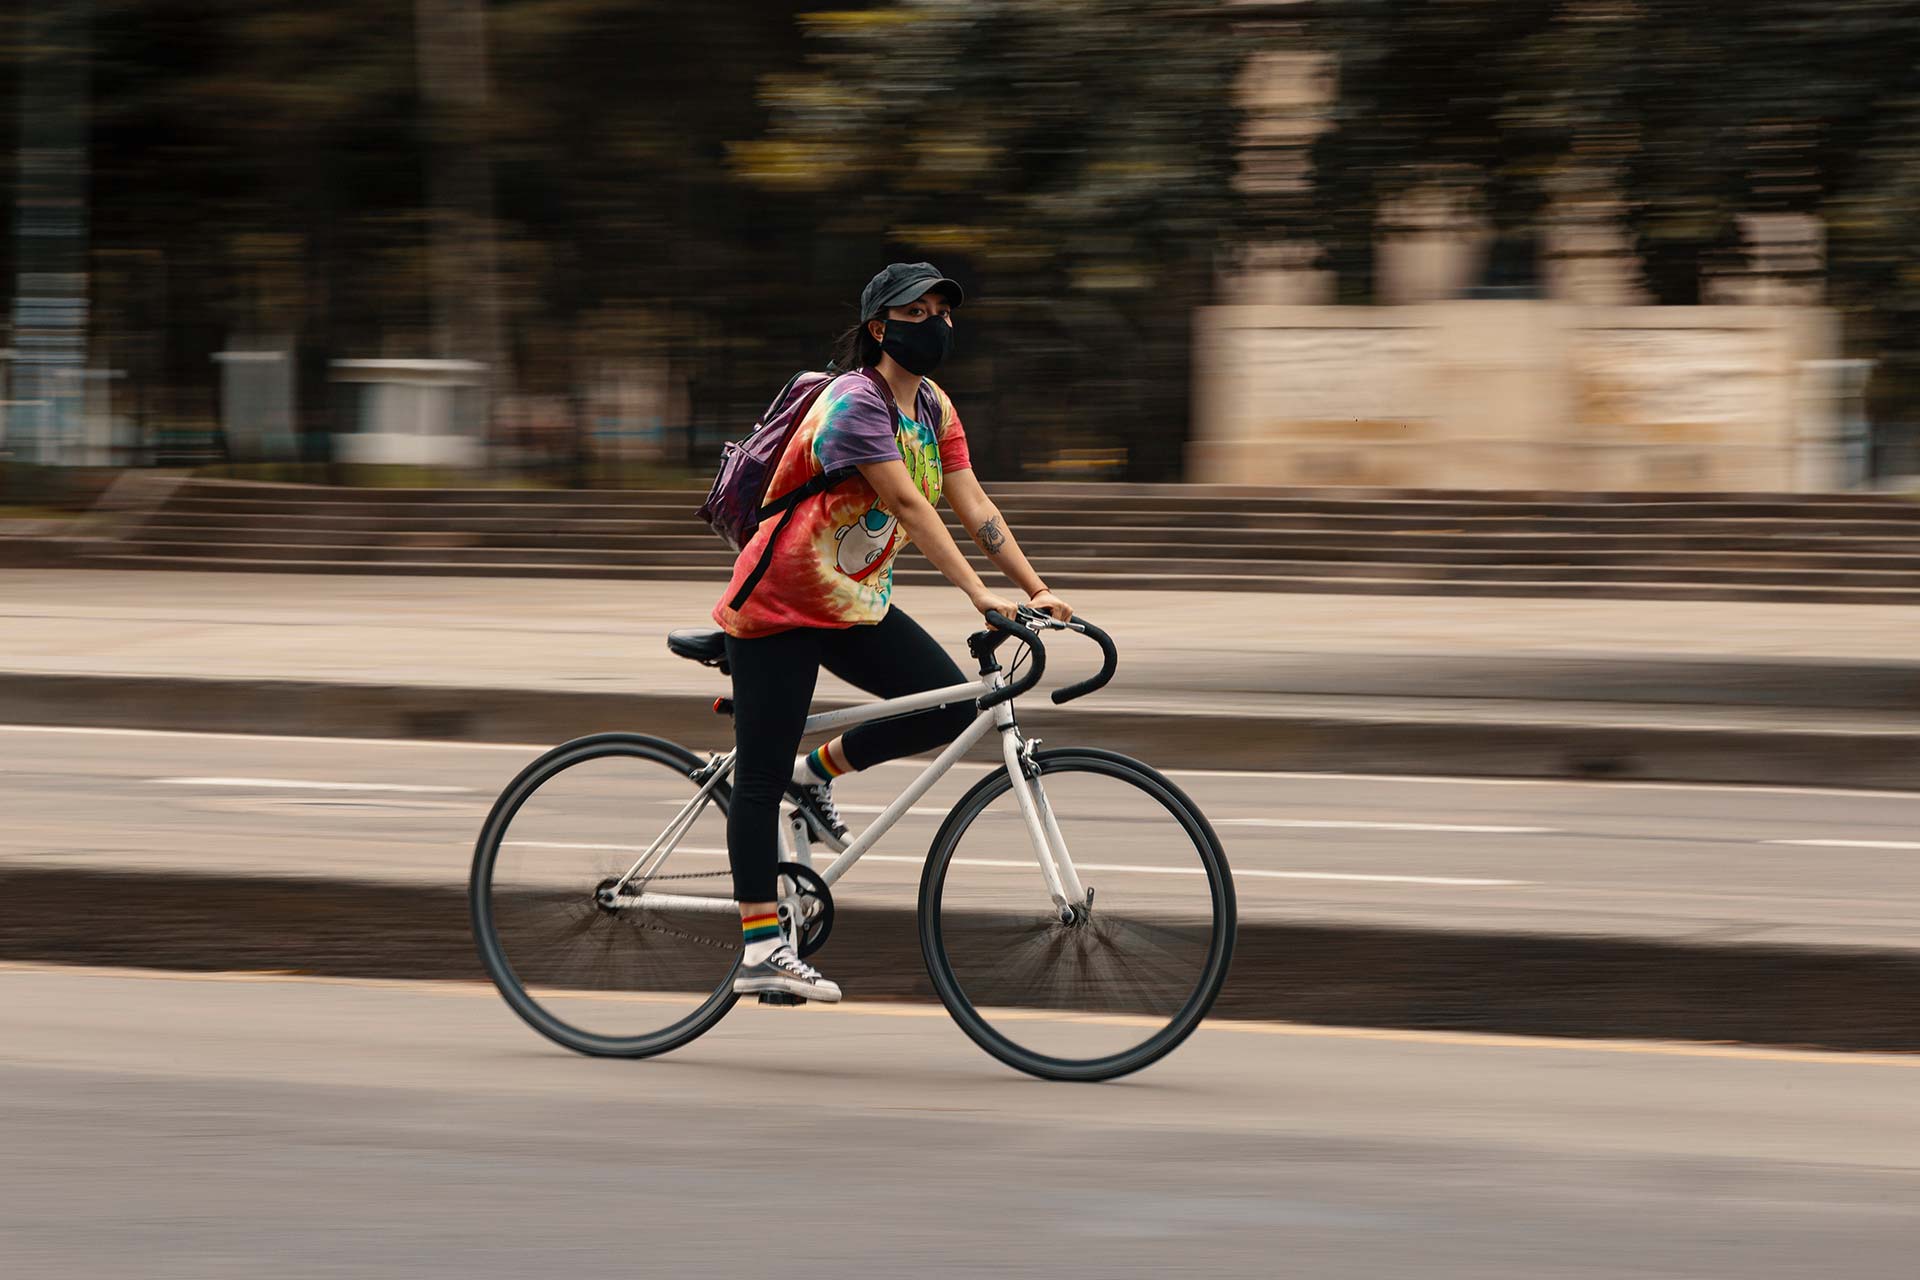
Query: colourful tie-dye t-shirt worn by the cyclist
[[834, 563]]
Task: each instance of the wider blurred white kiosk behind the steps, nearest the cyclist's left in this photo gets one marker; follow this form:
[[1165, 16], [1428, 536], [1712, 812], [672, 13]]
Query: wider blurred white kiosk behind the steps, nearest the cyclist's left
[[414, 414]]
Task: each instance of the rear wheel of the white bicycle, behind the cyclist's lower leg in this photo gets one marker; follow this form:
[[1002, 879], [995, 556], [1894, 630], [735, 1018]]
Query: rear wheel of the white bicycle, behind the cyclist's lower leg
[[608, 980]]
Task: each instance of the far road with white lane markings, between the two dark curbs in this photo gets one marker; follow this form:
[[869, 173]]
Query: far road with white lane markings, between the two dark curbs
[[1618, 859]]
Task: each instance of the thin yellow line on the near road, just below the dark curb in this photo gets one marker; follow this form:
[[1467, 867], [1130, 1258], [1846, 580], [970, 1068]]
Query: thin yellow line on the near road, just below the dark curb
[[876, 1008]]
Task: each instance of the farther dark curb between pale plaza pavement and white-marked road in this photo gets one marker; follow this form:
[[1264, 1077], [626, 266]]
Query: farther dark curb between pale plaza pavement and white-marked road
[[1168, 738]]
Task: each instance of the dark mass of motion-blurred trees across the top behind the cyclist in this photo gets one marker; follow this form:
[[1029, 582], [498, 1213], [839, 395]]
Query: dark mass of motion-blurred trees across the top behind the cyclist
[[713, 183]]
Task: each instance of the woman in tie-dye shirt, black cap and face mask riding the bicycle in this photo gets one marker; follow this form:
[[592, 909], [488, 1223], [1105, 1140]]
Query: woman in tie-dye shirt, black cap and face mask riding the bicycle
[[827, 594]]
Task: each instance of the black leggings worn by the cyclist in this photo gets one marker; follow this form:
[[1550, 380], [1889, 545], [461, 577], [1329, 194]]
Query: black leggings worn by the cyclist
[[773, 690]]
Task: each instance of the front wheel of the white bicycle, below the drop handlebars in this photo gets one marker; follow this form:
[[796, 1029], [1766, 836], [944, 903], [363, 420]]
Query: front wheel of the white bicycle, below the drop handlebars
[[1120, 980]]
